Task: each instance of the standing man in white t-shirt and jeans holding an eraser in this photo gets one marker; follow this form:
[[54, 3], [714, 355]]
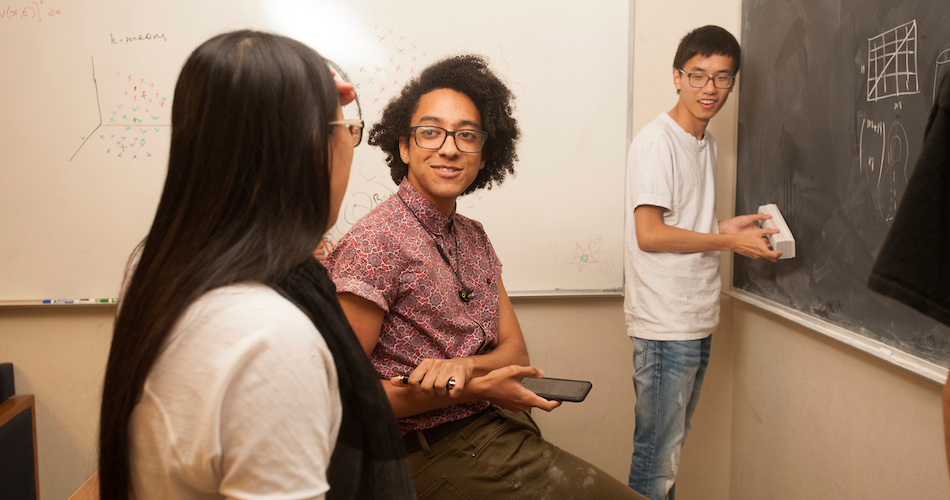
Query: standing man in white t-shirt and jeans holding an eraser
[[671, 263]]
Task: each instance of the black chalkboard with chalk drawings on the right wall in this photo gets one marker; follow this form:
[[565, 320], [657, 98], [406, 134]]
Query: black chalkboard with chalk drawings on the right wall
[[836, 147]]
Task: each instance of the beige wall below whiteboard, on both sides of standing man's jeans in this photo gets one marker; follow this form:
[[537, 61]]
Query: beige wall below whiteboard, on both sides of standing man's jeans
[[586, 339]]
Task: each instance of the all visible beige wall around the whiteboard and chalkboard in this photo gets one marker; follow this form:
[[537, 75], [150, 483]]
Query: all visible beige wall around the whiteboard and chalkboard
[[785, 412]]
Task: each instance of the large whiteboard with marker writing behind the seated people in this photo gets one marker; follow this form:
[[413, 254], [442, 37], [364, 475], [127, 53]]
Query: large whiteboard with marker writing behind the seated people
[[86, 97]]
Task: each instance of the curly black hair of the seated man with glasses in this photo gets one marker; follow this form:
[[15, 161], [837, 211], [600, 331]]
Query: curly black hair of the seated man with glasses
[[470, 75]]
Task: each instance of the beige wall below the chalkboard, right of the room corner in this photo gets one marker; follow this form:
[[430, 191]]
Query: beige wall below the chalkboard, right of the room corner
[[813, 418]]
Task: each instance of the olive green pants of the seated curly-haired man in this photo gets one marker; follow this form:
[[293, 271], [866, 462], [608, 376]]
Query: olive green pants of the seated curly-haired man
[[501, 456]]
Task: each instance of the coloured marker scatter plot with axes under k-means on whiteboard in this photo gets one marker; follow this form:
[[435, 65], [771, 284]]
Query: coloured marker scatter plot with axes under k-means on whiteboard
[[132, 113]]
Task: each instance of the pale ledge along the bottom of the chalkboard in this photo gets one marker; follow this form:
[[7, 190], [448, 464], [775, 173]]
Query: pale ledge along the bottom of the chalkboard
[[920, 367]]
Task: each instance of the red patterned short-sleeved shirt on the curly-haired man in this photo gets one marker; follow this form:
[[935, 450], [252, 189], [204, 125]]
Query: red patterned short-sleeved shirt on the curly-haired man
[[390, 258]]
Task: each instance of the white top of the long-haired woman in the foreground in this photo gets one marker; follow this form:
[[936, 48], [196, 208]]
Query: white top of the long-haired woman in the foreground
[[243, 402]]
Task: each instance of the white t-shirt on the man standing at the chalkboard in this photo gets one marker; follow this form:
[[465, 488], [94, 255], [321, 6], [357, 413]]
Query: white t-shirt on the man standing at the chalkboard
[[668, 295]]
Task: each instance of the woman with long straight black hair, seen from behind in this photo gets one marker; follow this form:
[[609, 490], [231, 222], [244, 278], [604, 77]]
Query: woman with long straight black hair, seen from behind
[[233, 372]]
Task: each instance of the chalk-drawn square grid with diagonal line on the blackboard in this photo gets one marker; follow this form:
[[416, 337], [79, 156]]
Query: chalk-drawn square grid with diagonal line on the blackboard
[[892, 62]]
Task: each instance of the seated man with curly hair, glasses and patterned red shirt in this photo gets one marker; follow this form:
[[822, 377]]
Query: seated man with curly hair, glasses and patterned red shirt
[[421, 286]]
